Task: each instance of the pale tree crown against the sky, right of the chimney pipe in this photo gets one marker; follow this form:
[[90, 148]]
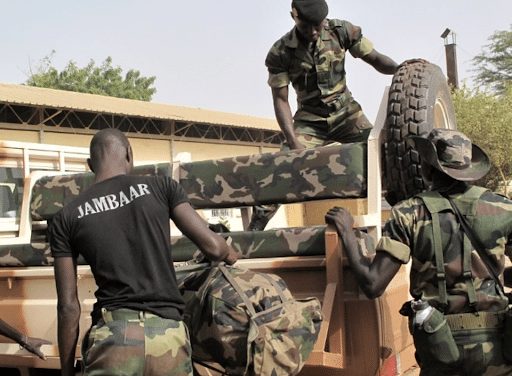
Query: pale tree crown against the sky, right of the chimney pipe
[[494, 64]]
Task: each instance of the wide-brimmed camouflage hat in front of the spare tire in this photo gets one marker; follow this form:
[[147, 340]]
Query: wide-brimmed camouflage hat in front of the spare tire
[[452, 153]]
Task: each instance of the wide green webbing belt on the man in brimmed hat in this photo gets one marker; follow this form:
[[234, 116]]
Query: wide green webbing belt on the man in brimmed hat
[[478, 320]]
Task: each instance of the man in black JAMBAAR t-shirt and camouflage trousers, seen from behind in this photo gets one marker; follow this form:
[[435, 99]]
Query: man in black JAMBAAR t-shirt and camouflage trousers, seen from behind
[[120, 225]]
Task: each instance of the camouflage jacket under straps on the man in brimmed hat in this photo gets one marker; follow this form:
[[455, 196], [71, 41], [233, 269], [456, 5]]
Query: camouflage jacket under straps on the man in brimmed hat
[[409, 234]]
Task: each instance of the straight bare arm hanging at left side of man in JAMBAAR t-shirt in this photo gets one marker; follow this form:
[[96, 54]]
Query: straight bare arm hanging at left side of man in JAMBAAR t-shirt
[[68, 309]]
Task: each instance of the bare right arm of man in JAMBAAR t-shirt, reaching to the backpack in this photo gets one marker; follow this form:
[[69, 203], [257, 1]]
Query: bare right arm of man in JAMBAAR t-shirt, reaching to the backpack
[[194, 227]]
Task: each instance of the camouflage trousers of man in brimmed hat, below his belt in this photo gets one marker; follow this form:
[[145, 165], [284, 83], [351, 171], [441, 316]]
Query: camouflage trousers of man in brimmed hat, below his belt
[[480, 355]]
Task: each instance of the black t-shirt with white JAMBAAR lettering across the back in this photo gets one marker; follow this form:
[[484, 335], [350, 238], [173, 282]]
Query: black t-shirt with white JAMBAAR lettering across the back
[[121, 228]]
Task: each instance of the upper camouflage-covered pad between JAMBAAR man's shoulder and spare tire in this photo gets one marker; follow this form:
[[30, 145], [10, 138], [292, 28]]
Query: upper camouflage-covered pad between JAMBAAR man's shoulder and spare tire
[[327, 172]]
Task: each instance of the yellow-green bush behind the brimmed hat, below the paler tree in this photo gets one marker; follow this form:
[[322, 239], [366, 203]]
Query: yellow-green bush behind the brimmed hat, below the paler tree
[[487, 120]]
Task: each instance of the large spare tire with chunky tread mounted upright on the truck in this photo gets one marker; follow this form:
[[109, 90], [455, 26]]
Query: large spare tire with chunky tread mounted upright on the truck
[[419, 100]]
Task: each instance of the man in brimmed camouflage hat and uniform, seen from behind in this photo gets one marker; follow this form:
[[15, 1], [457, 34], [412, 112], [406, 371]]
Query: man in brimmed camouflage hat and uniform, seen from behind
[[474, 306]]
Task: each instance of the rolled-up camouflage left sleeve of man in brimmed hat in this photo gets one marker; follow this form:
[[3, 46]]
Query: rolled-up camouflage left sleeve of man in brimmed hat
[[396, 235]]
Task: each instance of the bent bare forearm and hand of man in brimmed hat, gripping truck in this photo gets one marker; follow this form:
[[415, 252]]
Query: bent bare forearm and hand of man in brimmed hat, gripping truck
[[373, 276]]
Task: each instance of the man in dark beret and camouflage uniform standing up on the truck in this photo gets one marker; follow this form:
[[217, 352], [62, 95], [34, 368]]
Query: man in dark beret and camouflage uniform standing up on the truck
[[312, 58]]
